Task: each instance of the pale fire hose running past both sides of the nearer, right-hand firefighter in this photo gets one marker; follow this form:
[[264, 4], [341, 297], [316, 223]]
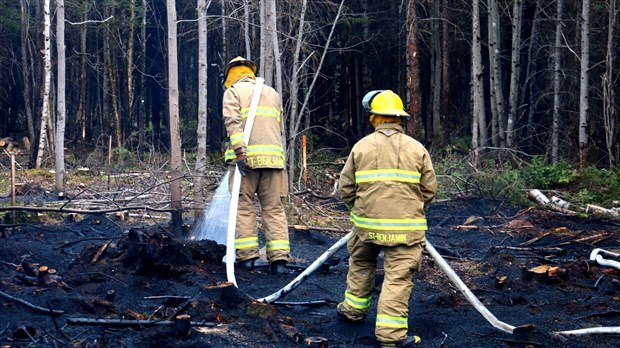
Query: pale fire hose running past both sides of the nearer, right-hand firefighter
[[435, 255]]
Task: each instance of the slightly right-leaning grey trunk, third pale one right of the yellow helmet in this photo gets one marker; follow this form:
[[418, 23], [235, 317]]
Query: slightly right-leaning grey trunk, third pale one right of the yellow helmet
[[515, 69]]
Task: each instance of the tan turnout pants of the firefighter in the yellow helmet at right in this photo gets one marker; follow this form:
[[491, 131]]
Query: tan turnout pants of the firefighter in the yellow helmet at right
[[399, 263]]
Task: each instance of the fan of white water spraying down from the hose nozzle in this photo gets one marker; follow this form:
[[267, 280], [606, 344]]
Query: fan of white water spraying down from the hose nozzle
[[213, 224]]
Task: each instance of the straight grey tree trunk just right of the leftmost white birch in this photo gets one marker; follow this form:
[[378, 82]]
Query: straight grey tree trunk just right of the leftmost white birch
[[61, 110]]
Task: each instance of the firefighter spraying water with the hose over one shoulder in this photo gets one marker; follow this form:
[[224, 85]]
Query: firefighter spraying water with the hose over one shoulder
[[261, 162]]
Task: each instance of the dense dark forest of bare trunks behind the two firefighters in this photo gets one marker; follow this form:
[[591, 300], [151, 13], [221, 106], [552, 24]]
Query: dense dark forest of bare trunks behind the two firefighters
[[514, 93]]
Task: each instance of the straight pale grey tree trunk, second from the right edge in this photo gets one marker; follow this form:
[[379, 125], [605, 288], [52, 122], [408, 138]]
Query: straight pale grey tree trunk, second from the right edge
[[584, 84]]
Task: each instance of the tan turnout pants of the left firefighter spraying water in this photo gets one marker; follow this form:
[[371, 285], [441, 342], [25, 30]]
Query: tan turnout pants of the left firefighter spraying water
[[268, 185]]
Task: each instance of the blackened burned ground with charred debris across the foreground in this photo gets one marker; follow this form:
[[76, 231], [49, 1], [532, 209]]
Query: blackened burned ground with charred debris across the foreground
[[496, 250]]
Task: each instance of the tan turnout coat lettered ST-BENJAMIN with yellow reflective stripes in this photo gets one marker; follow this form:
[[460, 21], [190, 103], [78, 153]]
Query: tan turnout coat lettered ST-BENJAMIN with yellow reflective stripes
[[387, 182]]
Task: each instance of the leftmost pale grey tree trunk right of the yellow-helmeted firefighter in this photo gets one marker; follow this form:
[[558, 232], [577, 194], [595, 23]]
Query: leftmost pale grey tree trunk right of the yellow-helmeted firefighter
[[477, 88]]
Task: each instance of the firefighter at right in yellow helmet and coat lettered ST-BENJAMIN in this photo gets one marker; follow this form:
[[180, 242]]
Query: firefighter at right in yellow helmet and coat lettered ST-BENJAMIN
[[387, 182]]
